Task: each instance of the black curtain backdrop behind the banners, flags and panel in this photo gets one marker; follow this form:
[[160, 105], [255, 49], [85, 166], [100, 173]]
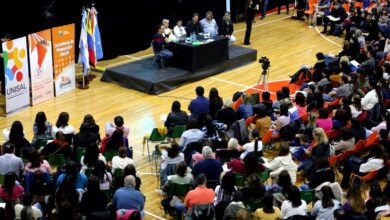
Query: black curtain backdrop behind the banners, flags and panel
[[125, 26]]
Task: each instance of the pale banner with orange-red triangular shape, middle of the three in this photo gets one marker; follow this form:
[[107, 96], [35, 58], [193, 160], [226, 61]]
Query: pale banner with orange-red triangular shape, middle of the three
[[41, 66]]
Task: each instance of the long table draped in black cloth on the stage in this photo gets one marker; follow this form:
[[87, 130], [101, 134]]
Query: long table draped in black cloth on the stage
[[195, 57]]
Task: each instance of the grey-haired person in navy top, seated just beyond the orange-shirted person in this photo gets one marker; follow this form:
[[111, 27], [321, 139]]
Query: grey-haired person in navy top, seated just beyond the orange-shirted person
[[212, 168]]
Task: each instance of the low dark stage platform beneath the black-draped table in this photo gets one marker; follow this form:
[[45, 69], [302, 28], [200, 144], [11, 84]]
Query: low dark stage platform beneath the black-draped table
[[145, 76]]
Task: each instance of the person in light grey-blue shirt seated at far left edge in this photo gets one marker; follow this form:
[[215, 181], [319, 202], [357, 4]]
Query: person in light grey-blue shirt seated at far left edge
[[9, 162]]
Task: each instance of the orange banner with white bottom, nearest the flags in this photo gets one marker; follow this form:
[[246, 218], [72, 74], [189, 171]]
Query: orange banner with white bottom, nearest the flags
[[64, 58]]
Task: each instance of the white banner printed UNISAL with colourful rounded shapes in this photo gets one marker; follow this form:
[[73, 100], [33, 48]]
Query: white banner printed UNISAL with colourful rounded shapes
[[17, 84]]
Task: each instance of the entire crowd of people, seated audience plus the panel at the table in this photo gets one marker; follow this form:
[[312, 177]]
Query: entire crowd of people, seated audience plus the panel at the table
[[339, 111]]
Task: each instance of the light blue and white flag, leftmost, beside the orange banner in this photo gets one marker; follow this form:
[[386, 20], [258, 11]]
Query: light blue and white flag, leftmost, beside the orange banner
[[83, 45]]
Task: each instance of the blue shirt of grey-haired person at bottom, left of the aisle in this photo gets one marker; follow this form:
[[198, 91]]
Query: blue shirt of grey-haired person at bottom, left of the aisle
[[129, 198]]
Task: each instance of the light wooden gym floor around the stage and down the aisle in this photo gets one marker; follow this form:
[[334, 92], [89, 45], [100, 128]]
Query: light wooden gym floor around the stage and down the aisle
[[286, 42]]
